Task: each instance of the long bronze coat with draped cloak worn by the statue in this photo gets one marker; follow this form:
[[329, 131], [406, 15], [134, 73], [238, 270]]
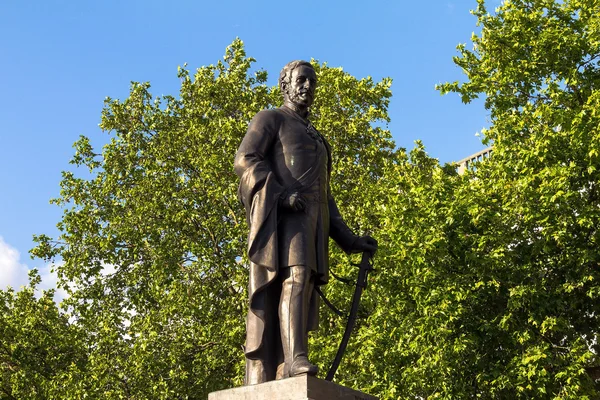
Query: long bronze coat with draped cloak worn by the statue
[[283, 153]]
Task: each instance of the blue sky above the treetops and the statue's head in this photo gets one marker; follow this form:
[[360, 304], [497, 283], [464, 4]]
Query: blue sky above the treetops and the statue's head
[[60, 59]]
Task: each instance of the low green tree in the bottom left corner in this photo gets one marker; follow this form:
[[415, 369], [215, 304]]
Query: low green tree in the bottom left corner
[[39, 348]]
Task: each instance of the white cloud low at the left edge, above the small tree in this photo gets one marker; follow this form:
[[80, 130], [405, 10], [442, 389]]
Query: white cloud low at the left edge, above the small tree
[[15, 274]]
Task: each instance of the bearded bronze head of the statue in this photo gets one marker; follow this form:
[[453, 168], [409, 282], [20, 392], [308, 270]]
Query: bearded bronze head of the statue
[[298, 81]]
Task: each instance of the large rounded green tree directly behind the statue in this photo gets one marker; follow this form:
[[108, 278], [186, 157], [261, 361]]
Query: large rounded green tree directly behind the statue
[[153, 243]]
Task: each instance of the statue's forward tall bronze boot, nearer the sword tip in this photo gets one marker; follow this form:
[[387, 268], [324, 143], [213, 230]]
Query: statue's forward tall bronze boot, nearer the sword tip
[[293, 319]]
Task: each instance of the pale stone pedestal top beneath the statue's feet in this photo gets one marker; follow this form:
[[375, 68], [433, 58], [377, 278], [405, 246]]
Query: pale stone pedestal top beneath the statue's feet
[[298, 388]]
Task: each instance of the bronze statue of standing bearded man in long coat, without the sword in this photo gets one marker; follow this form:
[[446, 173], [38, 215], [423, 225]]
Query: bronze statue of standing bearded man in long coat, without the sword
[[284, 165]]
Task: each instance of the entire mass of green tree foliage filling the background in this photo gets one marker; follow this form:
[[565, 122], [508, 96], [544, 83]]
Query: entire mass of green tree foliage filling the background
[[487, 283]]
